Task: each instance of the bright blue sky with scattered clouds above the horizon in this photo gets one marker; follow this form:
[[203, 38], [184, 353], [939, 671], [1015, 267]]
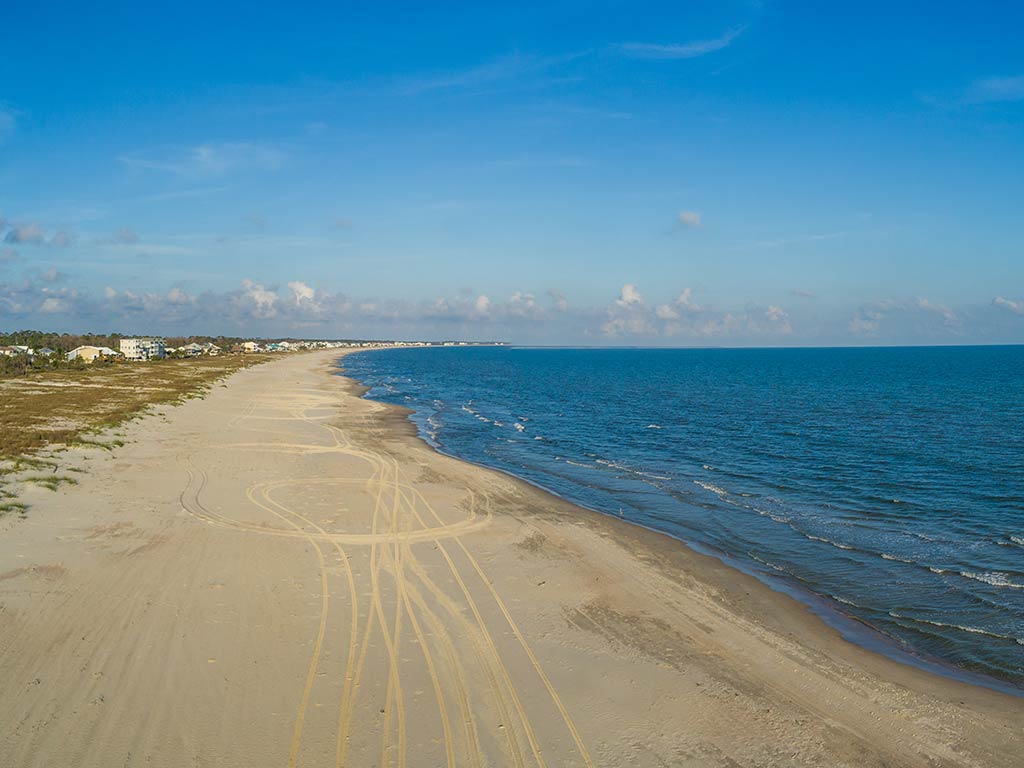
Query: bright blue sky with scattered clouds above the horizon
[[606, 174]]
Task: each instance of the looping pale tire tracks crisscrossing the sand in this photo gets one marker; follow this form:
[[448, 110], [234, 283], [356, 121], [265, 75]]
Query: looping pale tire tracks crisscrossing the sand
[[392, 550]]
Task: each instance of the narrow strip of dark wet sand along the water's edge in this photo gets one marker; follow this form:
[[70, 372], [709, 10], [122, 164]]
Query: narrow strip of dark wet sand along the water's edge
[[855, 630]]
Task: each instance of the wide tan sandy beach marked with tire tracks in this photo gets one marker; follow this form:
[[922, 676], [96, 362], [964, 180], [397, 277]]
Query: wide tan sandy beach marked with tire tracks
[[284, 575]]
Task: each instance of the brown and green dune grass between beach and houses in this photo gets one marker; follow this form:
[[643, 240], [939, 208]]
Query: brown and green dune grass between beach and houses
[[57, 409]]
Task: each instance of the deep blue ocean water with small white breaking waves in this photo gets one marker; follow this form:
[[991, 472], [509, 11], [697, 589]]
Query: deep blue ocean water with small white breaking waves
[[890, 482]]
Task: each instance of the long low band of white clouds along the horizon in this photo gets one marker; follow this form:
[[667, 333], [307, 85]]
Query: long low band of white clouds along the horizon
[[257, 308]]
